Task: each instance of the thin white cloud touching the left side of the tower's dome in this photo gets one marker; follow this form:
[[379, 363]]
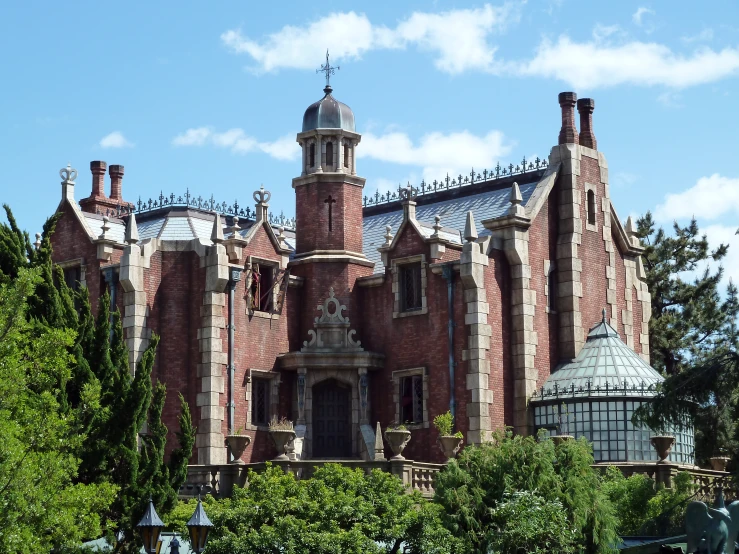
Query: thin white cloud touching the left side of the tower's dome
[[236, 140]]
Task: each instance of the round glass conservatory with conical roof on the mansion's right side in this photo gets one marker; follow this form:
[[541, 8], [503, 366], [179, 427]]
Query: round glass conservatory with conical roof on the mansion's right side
[[595, 395]]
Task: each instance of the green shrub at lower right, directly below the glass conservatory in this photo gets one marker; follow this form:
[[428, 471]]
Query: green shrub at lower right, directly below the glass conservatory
[[644, 508]]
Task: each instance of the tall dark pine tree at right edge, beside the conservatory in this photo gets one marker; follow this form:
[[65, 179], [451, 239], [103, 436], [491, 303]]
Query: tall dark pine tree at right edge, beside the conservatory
[[692, 335]]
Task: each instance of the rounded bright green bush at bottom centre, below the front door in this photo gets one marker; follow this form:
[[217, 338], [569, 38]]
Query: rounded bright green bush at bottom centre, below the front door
[[337, 510]]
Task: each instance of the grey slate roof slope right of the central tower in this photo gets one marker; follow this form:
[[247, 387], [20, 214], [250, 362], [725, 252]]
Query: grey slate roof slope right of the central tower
[[484, 205]]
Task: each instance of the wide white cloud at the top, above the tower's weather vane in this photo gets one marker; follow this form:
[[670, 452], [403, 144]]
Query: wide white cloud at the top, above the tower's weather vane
[[457, 38]]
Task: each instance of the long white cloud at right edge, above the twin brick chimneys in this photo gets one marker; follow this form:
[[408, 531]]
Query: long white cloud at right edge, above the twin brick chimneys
[[591, 65]]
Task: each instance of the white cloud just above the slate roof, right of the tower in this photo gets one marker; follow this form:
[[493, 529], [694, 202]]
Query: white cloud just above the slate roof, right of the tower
[[437, 153]]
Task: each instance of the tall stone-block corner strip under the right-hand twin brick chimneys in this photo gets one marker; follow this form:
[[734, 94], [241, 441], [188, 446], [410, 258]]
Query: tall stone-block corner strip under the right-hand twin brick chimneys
[[569, 265]]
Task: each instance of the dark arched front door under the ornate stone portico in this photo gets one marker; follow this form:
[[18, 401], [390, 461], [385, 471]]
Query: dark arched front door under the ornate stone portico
[[332, 420]]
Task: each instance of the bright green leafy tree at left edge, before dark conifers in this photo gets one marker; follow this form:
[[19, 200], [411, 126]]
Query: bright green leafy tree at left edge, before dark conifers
[[41, 507]]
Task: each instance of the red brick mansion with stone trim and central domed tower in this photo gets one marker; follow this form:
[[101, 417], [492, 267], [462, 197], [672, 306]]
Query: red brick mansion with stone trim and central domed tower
[[461, 295]]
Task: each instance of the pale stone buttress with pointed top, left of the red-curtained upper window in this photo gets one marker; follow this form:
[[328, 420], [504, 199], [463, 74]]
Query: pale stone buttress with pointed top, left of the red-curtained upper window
[[210, 439]]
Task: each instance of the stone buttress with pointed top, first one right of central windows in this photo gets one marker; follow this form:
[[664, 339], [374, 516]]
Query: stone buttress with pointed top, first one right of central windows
[[473, 261]]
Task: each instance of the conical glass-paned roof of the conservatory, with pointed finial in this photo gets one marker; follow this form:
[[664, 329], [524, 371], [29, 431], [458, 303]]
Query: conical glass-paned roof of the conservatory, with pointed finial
[[604, 367]]
